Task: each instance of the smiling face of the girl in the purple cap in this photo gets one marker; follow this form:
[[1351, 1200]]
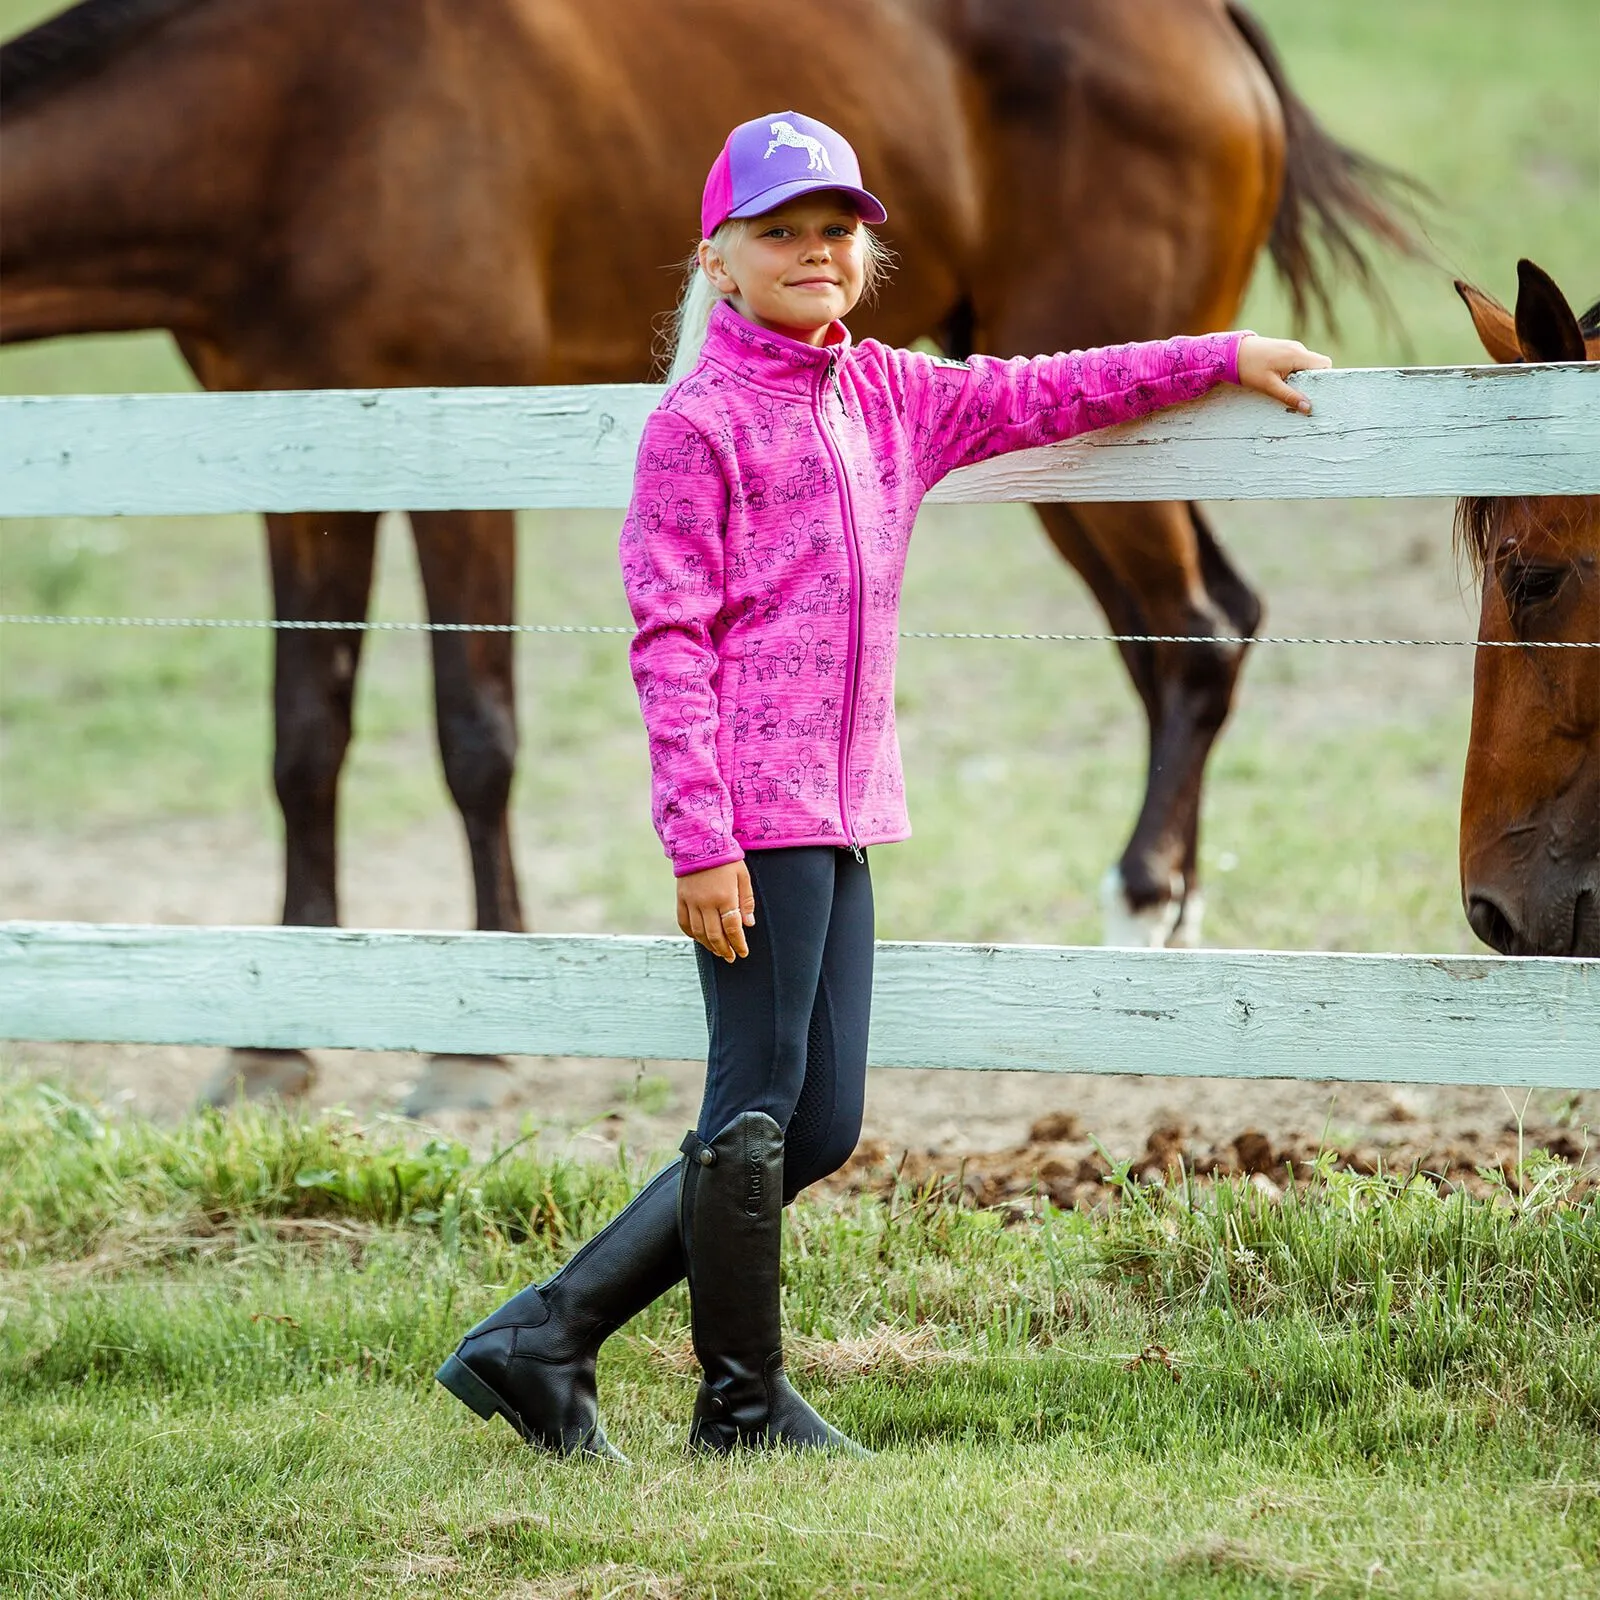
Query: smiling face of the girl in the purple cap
[[794, 270]]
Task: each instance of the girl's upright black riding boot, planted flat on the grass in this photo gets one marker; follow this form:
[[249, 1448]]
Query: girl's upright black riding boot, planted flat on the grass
[[730, 1215]]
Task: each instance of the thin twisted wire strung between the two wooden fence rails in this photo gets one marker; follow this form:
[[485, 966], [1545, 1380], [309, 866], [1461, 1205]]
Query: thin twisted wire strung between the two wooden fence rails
[[311, 626]]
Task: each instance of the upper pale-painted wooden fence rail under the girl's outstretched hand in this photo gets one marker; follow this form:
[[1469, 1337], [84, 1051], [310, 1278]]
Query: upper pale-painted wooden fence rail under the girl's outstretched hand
[[1390, 431]]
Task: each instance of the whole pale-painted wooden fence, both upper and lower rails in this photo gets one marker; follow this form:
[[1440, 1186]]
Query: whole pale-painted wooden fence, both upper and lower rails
[[1223, 1014]]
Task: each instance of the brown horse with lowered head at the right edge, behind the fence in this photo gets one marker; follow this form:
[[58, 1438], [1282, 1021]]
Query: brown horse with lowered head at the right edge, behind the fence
[[1530, 804]]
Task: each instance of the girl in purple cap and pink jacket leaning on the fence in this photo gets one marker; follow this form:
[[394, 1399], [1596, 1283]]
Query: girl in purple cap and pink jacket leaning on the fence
[[762, 554]]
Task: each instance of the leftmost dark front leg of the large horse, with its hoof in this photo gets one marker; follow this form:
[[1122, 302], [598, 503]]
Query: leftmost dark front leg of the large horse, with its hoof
[[322, 570]]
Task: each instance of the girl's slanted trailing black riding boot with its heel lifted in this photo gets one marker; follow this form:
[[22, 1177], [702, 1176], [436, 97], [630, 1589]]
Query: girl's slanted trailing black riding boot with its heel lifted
[[534, 1361]]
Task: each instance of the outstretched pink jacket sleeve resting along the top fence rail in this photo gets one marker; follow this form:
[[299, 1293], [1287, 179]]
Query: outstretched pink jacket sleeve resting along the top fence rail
[[962, 412]]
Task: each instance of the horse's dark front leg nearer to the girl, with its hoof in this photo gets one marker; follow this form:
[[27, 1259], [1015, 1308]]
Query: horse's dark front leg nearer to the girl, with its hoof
[[470, 570]]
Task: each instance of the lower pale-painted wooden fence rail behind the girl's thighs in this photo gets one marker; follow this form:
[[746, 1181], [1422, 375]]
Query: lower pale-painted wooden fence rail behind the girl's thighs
[[1214, 1014]]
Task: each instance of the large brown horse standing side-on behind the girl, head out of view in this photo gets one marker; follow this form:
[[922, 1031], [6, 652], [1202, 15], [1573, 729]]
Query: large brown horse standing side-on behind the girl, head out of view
[[490, 193]]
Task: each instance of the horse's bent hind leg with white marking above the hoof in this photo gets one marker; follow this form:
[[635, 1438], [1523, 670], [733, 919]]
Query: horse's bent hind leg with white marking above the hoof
[[1156, 569]]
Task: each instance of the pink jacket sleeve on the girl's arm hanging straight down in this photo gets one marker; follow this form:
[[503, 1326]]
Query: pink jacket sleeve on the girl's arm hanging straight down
[[673, 570]]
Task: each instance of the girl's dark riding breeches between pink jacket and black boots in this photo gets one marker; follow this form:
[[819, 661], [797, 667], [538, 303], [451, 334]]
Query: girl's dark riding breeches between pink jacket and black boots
[[790, 1022]]
